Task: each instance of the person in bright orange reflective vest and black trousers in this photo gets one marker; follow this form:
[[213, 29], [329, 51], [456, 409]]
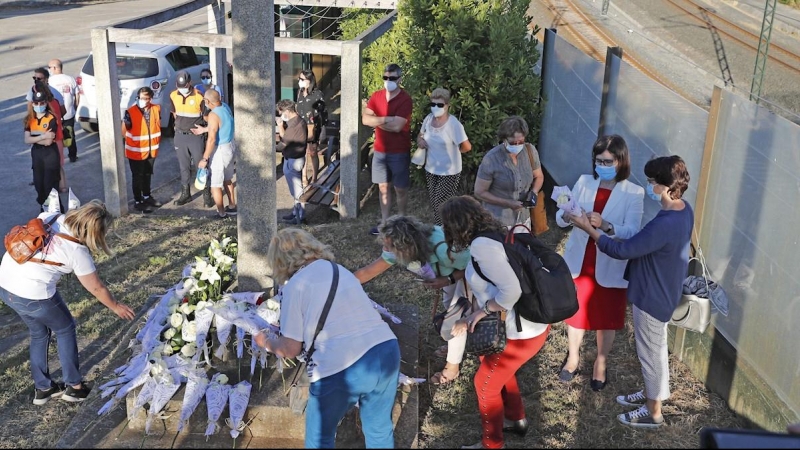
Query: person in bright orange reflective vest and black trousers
[[142, 129]]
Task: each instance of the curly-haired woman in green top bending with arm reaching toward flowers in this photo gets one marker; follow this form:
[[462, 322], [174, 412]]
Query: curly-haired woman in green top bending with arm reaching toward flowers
[[422, 250]]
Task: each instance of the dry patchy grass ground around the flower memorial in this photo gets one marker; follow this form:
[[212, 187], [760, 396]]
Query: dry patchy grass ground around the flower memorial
[[151, 252]]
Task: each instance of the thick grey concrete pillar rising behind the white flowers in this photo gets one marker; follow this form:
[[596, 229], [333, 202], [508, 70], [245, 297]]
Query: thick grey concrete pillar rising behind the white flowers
[[253, 68]]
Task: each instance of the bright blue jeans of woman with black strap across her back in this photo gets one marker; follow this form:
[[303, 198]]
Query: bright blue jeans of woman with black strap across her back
[[372, 382]]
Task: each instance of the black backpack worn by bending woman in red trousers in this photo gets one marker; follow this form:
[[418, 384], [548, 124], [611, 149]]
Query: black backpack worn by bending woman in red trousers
[[548, 291]]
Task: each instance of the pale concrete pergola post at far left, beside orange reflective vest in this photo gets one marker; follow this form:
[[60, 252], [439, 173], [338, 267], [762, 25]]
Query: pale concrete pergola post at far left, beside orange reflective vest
[[109, 120]]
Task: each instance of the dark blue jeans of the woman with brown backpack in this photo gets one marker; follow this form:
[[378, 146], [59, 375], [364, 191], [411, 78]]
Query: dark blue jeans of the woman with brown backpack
[[43, 318]]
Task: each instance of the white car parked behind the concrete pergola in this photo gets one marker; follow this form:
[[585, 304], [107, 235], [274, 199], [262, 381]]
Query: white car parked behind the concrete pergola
[[140, 65]]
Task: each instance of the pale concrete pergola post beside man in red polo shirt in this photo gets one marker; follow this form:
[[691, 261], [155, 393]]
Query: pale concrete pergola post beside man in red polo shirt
[[350, 125]]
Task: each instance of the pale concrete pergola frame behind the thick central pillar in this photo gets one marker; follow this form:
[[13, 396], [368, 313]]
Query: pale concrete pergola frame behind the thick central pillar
[[351, 137]]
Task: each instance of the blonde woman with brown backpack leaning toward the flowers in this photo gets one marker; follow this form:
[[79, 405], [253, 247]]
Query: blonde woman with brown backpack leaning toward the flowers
[[30, 289]]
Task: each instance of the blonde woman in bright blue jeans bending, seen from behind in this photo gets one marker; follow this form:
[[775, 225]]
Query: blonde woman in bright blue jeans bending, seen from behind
[[355, 358]]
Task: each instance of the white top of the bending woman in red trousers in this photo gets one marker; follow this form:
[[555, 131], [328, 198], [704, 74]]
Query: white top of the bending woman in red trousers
[[492, 259]]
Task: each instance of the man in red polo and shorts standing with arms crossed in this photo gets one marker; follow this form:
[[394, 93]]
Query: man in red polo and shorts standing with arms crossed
[[388, 111]]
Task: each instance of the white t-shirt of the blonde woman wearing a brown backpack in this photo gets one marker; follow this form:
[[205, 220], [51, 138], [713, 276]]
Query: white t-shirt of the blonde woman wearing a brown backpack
[[37, 281]]
